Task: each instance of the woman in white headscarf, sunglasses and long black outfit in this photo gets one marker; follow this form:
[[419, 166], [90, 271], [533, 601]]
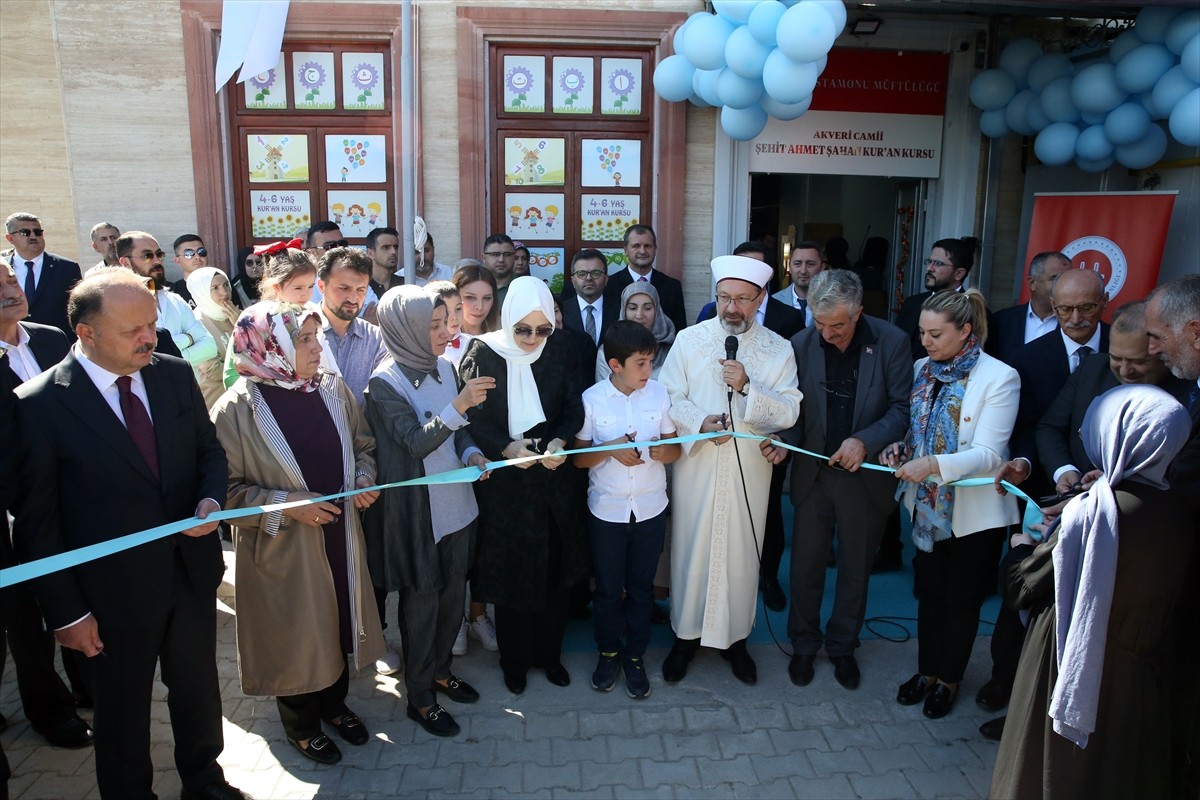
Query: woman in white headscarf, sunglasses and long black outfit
[[532, 543]]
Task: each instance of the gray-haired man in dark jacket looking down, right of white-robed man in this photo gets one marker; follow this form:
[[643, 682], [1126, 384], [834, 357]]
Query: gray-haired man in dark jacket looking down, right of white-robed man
[[856, 376]]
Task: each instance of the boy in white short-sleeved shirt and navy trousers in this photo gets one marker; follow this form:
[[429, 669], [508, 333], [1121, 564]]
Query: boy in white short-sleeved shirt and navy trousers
[[627, 502]]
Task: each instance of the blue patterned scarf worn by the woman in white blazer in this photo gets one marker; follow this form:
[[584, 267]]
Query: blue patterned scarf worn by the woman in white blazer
[[934, 431]]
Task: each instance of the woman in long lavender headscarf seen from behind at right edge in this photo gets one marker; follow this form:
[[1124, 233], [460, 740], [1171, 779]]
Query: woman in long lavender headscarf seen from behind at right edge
[[1090, 713]]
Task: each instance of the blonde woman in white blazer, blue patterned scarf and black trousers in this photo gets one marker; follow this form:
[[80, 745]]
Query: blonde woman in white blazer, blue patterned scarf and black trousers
[[964, 406]]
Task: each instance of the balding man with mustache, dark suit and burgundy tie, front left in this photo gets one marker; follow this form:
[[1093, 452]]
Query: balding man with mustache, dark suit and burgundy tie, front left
[[118, 442]]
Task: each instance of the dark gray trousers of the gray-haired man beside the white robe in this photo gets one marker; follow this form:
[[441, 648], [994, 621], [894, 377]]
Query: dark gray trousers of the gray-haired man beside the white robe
[[836, 501]]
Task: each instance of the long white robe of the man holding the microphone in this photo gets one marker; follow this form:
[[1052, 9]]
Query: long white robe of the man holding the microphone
[[715, 549]]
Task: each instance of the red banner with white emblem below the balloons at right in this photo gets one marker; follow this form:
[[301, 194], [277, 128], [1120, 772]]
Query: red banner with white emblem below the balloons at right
[[1118, 234]]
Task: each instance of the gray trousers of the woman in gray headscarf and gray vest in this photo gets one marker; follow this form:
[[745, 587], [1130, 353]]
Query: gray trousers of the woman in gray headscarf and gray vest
[[430, 621]]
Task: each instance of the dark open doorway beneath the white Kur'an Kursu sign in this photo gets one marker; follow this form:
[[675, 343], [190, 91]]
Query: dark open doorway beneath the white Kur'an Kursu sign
[[878, 219]]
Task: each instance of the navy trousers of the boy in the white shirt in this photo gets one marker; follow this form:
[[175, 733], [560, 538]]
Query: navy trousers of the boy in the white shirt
[[625, 557]]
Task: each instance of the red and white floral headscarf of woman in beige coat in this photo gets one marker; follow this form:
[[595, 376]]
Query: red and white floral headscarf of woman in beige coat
[[265, 345]]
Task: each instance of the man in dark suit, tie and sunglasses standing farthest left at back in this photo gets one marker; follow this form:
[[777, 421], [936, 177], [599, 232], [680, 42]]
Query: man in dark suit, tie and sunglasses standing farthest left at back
[[45, 278]]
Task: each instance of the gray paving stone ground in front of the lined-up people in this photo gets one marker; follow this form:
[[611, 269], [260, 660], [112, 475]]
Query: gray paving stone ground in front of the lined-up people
[[706, 737]]
